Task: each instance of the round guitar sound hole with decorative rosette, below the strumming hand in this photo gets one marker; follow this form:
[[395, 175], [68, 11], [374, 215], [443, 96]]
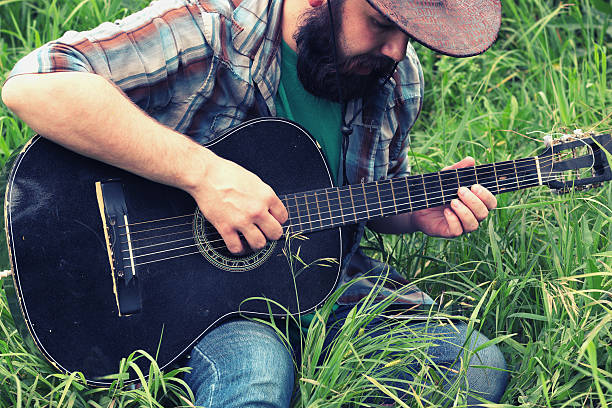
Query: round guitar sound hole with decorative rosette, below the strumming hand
[[213, 248]]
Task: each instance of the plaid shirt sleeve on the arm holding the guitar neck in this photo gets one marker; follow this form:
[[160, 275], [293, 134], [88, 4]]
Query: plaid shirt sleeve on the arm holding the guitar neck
[[408, 100]]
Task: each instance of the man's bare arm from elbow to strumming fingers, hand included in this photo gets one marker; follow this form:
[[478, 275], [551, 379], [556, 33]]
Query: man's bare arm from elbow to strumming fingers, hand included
[[86, 113]]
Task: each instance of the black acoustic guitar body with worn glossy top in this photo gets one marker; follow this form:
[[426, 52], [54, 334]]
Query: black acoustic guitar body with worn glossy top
[[63, 276]]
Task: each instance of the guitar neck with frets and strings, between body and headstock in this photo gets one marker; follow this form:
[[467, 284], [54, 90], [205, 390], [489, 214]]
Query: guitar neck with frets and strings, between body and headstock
[[337, 206]]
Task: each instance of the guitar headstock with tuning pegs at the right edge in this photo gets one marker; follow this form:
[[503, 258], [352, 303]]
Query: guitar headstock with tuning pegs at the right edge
[[576, 161]]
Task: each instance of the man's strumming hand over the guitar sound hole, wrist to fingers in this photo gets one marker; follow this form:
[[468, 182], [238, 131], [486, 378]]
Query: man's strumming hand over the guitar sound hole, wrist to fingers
[[235, 200]]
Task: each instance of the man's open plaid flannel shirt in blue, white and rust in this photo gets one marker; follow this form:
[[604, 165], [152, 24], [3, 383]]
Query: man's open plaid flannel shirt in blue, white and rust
[[203, 66]]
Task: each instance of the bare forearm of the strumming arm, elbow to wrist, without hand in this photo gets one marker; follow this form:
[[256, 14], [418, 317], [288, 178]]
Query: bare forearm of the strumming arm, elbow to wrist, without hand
[[89, 115]]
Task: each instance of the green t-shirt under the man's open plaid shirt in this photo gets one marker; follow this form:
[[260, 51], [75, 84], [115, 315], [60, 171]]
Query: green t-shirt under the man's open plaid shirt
[[322, 118]]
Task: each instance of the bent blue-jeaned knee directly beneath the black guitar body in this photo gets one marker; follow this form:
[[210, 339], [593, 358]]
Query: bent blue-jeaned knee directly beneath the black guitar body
[[241, 364]]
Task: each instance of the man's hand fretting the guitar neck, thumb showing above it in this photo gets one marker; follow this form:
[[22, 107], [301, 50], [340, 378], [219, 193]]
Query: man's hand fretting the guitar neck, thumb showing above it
[[463, 215]]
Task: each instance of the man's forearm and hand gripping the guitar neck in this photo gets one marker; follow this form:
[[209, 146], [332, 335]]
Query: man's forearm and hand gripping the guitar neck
[[463, 215]]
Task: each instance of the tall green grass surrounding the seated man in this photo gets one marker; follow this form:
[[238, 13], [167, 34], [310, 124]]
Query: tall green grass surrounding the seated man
[[536, 277]]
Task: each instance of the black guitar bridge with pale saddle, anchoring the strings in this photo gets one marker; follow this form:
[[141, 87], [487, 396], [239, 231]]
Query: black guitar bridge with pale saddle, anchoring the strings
[[113, 210]]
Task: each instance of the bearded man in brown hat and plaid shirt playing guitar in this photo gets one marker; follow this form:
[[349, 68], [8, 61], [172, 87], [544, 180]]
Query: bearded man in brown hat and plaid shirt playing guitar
[[128, 93]]
